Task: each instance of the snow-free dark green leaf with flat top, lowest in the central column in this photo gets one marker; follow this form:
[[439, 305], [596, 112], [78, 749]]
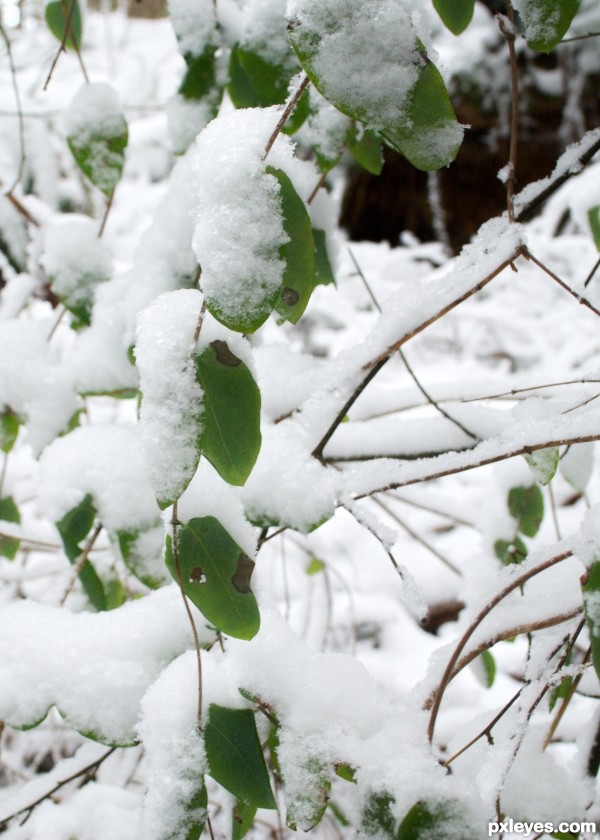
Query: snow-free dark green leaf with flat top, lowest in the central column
[[235, 757]]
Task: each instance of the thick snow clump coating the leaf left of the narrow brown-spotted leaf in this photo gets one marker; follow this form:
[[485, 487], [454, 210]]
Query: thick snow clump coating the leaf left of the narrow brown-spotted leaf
[[239, 225]]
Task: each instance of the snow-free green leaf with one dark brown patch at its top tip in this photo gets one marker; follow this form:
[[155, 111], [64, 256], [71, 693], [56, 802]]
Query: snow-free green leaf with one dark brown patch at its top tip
[[230, 437]]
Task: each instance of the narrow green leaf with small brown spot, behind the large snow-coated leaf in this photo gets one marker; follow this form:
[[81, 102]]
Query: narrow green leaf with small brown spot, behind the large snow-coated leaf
[[298, 253]]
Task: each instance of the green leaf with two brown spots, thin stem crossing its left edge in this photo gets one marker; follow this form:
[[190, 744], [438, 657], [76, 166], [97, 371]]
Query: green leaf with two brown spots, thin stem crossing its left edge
[[215, 575]]
